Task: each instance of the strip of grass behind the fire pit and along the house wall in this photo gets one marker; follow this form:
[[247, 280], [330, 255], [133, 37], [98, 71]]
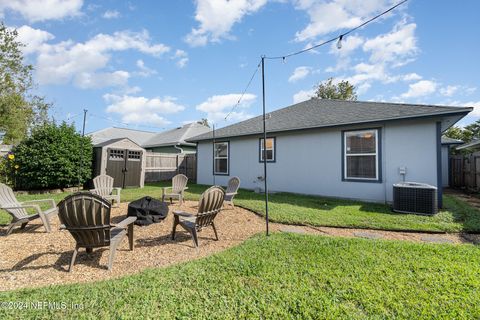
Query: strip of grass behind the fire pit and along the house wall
[[317, 211]]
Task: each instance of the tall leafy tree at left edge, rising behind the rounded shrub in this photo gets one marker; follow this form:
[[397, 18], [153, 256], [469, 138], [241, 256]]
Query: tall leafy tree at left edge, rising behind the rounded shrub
[[19, 109]]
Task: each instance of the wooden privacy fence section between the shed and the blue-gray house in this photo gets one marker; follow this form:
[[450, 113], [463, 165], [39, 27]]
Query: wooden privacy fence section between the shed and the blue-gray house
[[163, 166]]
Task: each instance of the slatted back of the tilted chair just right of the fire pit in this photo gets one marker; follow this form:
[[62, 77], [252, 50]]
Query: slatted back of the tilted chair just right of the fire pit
[[211, 202]]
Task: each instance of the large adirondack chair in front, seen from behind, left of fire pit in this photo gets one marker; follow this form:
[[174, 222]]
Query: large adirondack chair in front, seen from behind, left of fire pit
[[87, 217]]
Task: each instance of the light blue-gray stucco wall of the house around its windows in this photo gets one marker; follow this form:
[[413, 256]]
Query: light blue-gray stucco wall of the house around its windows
[[310, 162]]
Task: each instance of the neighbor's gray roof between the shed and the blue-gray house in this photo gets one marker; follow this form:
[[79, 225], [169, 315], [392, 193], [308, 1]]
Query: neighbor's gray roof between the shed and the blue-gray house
[[177, 136]]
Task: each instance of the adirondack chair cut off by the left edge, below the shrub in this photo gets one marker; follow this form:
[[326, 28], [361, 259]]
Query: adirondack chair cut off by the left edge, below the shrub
[[17, 210]]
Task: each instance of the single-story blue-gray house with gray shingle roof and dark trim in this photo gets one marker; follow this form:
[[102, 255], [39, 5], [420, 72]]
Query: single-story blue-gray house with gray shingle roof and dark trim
[[335, 148]]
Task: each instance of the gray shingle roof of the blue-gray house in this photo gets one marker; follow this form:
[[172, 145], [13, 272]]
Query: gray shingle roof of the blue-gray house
[[318, 113]]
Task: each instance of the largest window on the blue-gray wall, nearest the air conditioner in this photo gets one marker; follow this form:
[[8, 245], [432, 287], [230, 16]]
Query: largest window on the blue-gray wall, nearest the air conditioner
[[361, 155]]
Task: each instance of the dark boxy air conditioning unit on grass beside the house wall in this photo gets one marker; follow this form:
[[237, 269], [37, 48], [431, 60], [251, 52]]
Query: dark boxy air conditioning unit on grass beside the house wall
[[413, 197]]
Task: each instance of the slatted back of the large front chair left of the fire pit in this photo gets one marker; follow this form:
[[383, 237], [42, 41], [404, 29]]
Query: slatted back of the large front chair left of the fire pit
[[87, 217]]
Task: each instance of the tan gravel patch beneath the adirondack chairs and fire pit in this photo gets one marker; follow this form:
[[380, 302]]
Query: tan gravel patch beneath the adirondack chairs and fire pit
[[33, 258]]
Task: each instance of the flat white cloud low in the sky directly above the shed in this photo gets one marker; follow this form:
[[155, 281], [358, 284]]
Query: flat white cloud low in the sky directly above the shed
[[141, 110]]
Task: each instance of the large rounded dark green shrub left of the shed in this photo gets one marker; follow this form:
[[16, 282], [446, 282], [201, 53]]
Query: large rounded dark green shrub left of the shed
[[50, 158]]
